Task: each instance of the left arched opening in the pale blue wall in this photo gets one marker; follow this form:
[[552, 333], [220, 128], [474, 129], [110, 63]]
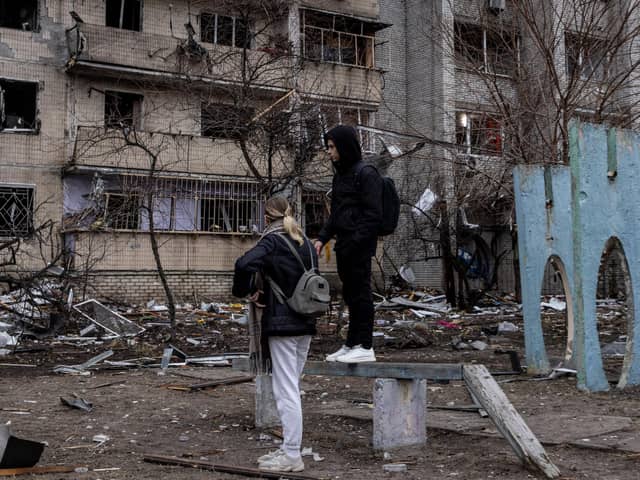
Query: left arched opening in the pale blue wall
[[556, 314]]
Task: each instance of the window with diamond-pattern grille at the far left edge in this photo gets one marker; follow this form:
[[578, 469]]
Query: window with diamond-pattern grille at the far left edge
[[16, 211]]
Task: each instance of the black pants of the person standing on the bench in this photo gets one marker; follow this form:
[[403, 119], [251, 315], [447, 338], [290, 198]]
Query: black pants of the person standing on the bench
[[355, 274]]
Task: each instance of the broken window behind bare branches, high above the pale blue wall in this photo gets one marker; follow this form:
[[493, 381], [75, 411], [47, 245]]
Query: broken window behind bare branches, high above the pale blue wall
[[586, 57]]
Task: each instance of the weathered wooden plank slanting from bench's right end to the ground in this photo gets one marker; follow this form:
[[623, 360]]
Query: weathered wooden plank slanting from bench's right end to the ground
[[507, 419]]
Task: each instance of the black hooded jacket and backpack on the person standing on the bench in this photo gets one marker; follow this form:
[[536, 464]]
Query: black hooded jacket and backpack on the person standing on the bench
[[356, 200]]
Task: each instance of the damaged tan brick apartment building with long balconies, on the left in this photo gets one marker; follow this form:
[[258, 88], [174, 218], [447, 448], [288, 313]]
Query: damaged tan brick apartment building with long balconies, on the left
[[127, 119]]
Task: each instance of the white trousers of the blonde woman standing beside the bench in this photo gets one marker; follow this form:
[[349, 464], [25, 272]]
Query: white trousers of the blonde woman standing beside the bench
[[288, 355]]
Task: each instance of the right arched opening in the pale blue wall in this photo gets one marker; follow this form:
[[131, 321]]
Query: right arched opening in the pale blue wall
[[614, 310]]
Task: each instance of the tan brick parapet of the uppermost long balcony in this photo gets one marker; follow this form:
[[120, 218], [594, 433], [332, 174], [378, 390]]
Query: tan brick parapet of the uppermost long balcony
[[96, 50]]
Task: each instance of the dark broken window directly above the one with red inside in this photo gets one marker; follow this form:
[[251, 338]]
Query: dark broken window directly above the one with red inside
[[488, 50]]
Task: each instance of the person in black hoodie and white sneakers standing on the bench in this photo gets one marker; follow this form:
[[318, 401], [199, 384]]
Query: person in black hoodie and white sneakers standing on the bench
[[356, 211]]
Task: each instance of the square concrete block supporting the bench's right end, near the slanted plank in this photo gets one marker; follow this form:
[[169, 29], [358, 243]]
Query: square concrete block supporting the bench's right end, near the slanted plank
[[399, 413]]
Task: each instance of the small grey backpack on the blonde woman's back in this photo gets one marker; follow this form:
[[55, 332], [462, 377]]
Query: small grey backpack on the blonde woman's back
[[311, 294]]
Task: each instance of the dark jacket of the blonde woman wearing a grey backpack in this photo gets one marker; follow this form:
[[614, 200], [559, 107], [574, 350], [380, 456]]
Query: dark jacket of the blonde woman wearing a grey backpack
[[272, 257]]
